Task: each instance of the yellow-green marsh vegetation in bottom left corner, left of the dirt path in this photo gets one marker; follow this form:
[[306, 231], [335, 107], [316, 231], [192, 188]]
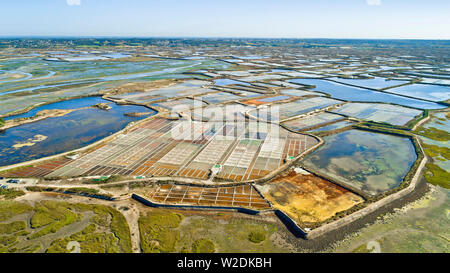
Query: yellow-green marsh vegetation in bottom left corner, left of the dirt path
[[103, 228]]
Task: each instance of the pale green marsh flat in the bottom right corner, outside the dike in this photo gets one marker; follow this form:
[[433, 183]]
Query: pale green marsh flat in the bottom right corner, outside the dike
[[421, 226]]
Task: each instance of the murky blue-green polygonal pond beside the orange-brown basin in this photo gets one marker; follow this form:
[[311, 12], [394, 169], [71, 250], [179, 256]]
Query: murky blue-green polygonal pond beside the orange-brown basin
[[370, 162]]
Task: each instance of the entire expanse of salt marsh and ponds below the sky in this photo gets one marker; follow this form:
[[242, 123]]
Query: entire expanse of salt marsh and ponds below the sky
[[317, 129]]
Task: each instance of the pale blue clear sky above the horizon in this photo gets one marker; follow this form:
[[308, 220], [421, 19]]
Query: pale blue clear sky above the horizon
[[372, 19]]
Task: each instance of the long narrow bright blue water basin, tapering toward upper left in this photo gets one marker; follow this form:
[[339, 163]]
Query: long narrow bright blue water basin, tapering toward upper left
[[350, 93]]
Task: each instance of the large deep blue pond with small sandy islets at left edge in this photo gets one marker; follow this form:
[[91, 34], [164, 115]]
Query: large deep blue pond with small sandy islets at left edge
[[66, 133]]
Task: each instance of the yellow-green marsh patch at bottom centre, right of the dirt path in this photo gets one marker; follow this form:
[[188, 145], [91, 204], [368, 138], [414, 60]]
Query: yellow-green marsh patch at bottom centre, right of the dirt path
[[204, 232]]
